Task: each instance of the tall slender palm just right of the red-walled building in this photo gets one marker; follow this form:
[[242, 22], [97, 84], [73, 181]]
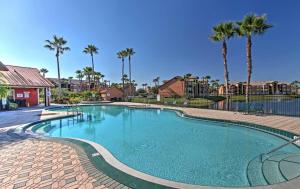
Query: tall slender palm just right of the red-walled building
[[57, 45]]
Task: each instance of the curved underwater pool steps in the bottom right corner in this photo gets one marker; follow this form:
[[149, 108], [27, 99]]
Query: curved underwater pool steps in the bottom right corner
[[274, 169]]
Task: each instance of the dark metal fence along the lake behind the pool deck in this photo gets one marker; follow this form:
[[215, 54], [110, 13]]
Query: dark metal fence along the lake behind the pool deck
[[286, 105]]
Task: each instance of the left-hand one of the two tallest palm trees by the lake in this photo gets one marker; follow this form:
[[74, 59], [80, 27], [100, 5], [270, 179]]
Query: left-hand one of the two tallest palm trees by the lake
[[223, 32]]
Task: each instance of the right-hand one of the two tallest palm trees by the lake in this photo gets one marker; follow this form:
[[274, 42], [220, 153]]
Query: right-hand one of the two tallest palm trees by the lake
[[249, 26]]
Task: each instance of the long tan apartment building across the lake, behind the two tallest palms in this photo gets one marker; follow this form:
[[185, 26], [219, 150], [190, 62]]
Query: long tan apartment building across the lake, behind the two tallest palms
[[258, 88]]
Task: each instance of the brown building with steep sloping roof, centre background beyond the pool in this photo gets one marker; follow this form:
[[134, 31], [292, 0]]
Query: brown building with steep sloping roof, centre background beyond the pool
[[190, 87]]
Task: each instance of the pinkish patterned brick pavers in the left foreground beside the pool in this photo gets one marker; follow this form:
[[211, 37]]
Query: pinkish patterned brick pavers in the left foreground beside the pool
[[47, 164]]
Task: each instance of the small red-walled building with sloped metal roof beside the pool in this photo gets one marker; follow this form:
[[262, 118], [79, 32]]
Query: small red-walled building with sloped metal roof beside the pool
[[25, 84]]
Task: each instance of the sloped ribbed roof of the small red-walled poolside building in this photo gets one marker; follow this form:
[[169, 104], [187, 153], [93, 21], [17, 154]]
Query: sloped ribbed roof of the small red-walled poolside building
[[18, 76]]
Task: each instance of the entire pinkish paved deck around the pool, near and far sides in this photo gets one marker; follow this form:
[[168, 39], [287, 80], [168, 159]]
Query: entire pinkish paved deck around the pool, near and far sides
[[27, 162]]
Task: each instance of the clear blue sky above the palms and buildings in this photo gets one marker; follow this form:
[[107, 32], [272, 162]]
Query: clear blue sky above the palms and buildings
[[170, 37]]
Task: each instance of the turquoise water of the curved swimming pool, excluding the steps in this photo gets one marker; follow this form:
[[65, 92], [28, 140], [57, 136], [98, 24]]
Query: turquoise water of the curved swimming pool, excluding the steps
[[165, 145]]
